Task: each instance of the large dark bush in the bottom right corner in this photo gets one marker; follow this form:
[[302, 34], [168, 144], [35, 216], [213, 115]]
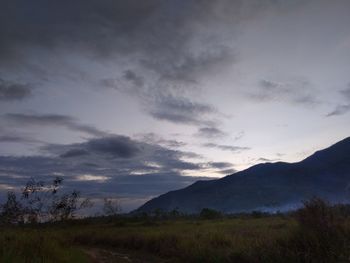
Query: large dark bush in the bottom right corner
[[320, 236]]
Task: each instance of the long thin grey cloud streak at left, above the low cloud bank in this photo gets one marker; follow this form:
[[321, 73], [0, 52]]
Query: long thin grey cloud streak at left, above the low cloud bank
[[52, 120]]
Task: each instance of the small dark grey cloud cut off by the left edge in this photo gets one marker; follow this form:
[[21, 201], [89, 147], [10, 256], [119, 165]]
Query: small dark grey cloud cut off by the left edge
[[10, 91]]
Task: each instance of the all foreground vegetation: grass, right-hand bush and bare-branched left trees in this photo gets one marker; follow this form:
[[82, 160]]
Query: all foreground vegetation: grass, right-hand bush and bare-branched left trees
[[318, 232]]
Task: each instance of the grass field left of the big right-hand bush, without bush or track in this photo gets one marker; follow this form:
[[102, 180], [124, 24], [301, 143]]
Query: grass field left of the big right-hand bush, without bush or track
[[183, 240]]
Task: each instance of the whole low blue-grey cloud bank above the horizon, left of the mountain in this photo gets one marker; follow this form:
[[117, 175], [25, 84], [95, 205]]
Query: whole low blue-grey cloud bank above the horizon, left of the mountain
[[119, 165]]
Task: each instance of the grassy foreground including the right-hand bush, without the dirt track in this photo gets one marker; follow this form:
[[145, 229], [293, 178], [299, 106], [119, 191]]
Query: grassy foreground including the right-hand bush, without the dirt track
[[316, 235]]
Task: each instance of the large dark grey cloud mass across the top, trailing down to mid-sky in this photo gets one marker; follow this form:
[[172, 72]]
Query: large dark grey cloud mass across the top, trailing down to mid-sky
[[162, 60]]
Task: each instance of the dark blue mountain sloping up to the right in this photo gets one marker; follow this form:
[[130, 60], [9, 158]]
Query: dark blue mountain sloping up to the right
[[267, 187]]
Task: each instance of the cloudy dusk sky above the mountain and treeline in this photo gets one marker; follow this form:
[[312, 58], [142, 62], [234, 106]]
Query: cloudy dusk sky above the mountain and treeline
[[131, 99]]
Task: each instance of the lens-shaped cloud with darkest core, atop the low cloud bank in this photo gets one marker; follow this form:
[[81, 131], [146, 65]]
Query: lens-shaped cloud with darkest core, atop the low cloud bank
[[124, 153]]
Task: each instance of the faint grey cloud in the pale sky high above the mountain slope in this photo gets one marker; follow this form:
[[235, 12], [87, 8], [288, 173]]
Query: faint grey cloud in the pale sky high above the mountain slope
[[297, 91]]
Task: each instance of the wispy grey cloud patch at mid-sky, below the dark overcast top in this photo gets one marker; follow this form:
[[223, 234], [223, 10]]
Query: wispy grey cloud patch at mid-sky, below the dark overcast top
[[164, 101]]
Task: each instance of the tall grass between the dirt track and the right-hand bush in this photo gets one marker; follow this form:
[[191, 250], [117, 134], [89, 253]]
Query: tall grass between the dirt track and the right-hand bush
[[188, 240]]
